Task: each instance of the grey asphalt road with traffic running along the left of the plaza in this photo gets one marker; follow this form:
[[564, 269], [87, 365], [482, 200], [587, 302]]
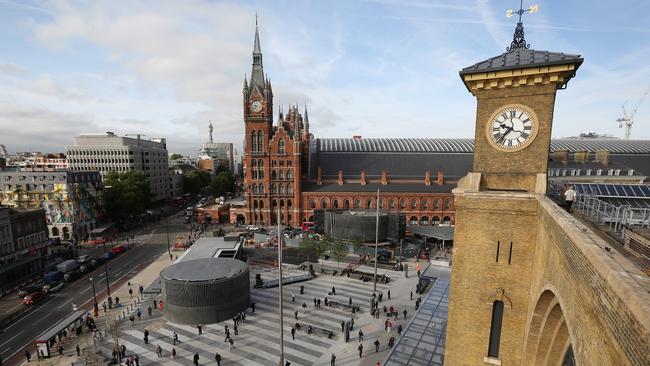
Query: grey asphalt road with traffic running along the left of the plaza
[[55, 307]]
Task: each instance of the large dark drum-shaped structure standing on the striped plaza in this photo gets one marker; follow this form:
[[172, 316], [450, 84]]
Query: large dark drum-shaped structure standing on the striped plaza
[[204, 291]]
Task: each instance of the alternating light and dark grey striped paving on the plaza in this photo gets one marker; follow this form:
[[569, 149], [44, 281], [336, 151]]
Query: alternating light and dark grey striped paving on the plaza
[[258, 341]]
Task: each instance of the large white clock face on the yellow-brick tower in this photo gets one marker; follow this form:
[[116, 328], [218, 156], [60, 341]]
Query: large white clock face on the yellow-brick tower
[[512, 128]]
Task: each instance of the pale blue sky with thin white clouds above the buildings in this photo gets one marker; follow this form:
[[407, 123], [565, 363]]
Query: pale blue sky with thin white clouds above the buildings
[[375, 68]]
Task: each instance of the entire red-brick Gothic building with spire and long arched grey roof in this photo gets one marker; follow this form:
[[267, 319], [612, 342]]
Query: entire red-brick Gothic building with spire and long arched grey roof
[[287, 170]]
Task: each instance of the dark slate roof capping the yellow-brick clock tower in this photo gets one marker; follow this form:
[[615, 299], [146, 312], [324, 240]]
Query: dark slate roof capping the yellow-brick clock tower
[[522, 58]]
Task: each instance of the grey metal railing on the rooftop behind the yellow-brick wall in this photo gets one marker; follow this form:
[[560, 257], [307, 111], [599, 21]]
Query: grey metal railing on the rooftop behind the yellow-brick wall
[[604, 213]]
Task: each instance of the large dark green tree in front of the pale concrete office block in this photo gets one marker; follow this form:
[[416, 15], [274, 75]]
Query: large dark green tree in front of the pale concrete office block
[[126, 194]]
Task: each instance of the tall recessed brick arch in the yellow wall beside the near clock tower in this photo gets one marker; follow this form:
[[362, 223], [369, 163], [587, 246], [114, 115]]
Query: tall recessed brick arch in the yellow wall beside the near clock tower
[[548, 340]]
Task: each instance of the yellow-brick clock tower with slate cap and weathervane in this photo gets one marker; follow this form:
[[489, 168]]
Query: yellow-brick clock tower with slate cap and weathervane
[[496, 204]]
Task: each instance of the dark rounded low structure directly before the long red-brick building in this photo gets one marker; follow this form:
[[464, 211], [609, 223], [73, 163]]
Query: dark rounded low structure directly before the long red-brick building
[[356, 225]]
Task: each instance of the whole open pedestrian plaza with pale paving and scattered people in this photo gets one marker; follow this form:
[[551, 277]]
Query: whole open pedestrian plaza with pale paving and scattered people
[[258, 338]]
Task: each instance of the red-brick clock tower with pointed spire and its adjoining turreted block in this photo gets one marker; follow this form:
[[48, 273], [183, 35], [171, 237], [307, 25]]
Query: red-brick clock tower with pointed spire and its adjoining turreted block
[[272, 153]]
